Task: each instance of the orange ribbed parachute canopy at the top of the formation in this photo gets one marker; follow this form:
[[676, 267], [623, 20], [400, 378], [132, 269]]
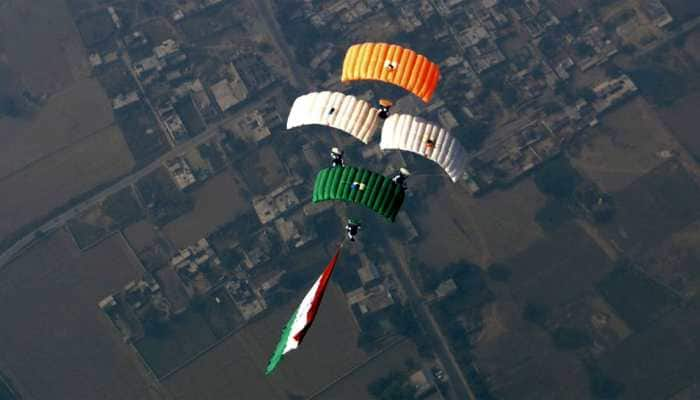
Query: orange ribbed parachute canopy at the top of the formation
[[393, 64]]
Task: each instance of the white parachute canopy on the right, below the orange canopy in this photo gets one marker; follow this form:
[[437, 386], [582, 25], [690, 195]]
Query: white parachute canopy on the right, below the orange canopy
[[408, 133]]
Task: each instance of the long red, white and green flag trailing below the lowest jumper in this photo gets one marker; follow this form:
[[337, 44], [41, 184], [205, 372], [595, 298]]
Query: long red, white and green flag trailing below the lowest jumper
[[303, 317]]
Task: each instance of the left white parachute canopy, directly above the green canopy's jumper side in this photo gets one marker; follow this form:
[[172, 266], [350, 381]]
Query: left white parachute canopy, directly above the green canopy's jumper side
[[337, 110]]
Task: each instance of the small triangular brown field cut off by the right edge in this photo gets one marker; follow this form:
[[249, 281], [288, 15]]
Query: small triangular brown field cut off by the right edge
[[682, 120]]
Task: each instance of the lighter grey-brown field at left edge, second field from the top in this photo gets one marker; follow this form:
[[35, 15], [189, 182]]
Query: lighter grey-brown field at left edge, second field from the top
[[75, 113]]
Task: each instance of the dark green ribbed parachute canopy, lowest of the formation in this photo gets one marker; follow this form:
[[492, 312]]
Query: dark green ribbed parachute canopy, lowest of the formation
[[359, 186]]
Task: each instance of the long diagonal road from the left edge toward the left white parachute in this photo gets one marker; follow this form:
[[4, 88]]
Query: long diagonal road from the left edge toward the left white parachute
[[125, 182]]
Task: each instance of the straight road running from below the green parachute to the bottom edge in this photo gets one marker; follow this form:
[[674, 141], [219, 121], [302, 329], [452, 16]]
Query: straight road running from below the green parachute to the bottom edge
[[459, 386]]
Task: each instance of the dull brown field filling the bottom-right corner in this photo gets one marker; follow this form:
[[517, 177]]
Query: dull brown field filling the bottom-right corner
[[662, 360]]
